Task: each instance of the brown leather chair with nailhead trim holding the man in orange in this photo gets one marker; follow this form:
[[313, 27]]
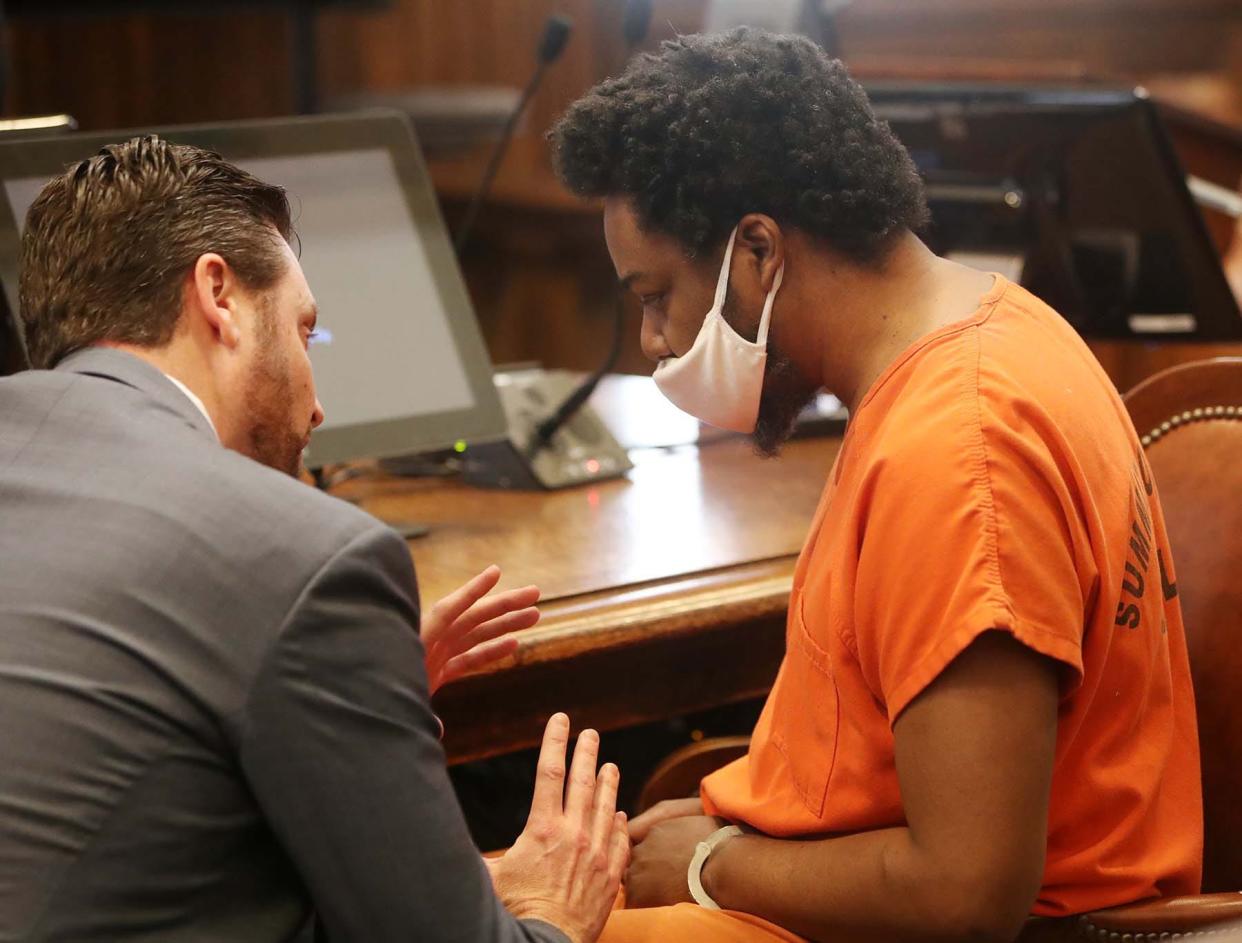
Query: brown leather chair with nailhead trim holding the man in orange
[[1190, 423]]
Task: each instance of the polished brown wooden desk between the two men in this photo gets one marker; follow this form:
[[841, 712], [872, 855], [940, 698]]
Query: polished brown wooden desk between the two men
[[664, 593]]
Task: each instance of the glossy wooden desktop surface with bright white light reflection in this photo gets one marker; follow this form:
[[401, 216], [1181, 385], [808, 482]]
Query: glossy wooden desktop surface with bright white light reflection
[[676, 515]]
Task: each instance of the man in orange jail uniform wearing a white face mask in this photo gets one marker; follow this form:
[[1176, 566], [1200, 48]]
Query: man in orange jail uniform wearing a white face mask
[[986, 710]]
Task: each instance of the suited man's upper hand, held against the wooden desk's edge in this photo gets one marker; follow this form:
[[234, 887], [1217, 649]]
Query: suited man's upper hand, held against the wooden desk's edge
[[469, 629]]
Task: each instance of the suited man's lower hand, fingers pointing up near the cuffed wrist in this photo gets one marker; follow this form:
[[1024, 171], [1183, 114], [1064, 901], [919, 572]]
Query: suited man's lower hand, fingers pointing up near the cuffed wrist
[[566, 868]]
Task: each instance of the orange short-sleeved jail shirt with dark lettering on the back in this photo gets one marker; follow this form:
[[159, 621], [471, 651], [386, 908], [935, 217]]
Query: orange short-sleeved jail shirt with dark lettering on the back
[[990, 479]]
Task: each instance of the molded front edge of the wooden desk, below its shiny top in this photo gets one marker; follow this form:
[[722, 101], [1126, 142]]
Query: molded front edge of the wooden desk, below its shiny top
[[629, 657]]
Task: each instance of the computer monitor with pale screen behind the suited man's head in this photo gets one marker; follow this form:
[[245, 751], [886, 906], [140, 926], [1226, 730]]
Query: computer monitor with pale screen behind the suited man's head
[[401, 363]]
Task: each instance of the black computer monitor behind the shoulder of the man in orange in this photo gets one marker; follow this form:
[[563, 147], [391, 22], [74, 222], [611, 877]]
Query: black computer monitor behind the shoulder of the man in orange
[[1079, 194]]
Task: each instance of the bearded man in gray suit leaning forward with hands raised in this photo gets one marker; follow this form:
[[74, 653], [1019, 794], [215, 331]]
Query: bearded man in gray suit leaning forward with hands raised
[[214, 700]]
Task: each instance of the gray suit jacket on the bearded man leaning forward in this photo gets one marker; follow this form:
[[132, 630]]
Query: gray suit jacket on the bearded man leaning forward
[[213, 701]]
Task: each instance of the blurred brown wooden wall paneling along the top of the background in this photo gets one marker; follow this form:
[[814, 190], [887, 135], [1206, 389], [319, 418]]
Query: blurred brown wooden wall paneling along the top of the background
[[143, 69]]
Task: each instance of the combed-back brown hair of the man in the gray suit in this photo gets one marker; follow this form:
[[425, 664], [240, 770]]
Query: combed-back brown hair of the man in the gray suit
[[109, 244]]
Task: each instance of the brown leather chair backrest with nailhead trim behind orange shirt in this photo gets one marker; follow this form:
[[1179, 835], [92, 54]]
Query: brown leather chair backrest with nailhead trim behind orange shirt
[[1190, 422]]
